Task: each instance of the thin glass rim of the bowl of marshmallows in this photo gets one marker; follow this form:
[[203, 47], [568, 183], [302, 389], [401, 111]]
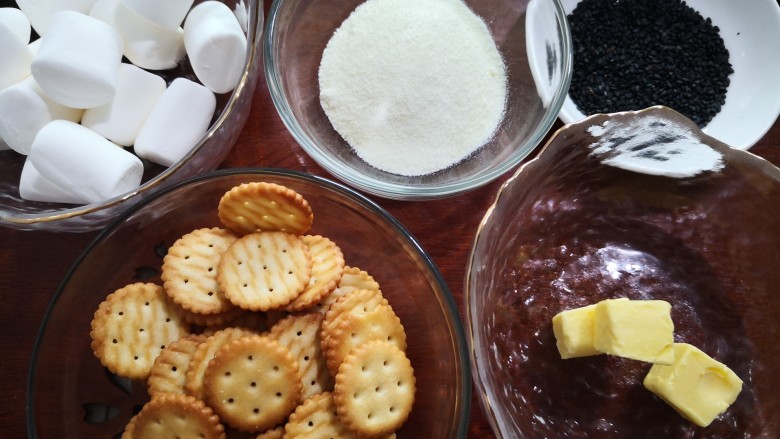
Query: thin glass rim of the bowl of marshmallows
[[255, 26]]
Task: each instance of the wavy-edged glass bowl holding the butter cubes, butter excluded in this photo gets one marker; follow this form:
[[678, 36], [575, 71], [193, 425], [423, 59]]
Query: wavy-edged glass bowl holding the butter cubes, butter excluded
[[607, 210]]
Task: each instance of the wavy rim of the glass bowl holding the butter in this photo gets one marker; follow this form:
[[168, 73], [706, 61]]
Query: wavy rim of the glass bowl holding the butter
[[484, 396]]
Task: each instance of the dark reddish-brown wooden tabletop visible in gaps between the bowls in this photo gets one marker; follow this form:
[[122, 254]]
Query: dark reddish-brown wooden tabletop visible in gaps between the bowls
[[32, 264]]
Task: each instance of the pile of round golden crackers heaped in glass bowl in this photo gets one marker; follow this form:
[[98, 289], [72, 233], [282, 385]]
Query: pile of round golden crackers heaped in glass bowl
[[261, 328]]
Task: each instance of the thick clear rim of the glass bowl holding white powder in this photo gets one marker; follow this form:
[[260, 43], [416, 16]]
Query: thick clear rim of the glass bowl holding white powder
[[399, 191]]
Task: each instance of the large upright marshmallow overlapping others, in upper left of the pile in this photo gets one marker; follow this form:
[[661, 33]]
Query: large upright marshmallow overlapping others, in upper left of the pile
[[78, 61]]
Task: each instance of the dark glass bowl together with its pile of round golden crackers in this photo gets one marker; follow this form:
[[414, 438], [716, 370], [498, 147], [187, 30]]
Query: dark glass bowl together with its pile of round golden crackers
[[252, 301]]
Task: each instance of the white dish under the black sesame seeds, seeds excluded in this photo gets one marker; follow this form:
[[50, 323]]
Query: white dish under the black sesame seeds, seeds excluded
[[751, 33]]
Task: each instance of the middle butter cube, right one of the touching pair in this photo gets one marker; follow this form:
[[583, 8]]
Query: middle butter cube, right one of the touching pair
[[636, 329]]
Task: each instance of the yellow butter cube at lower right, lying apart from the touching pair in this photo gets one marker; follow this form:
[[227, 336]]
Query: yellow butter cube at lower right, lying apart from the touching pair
[[697, 386]]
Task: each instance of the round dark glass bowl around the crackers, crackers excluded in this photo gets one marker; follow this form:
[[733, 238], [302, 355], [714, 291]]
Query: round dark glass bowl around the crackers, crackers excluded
[[71, 395]]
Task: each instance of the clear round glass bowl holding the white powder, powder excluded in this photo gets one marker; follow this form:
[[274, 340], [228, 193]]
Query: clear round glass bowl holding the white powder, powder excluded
[[298, 30]]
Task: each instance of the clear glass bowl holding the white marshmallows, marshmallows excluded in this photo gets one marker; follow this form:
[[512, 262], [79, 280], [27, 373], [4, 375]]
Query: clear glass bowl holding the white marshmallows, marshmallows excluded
[[229, 119]]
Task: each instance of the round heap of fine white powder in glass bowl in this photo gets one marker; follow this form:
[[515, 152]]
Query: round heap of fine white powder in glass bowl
[[414, 86]]
